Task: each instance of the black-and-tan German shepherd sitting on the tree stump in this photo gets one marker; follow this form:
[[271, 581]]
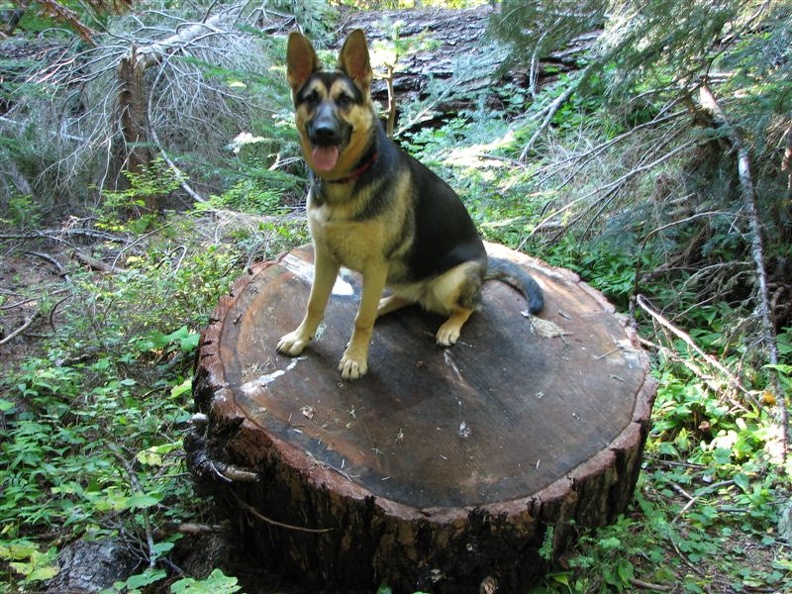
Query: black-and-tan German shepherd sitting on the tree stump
[[376, 210]]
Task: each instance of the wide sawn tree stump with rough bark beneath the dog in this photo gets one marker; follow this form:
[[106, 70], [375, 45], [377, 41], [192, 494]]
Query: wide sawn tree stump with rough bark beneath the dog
[[441, 469]]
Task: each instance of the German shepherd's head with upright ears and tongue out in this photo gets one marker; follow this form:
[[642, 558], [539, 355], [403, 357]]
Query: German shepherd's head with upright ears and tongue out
[[333, 109]]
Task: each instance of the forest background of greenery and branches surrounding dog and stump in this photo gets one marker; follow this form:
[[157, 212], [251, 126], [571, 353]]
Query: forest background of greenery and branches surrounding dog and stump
[[148, 156]]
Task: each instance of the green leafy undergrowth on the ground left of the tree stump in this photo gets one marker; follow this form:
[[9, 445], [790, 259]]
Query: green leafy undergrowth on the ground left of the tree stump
[[95, 420]]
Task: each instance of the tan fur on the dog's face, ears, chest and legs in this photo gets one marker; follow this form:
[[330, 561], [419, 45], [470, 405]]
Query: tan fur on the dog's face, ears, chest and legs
[[342, 238]]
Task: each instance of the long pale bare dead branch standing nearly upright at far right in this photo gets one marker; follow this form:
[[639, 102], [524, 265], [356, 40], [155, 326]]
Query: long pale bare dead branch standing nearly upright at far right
[[768, 335]]
